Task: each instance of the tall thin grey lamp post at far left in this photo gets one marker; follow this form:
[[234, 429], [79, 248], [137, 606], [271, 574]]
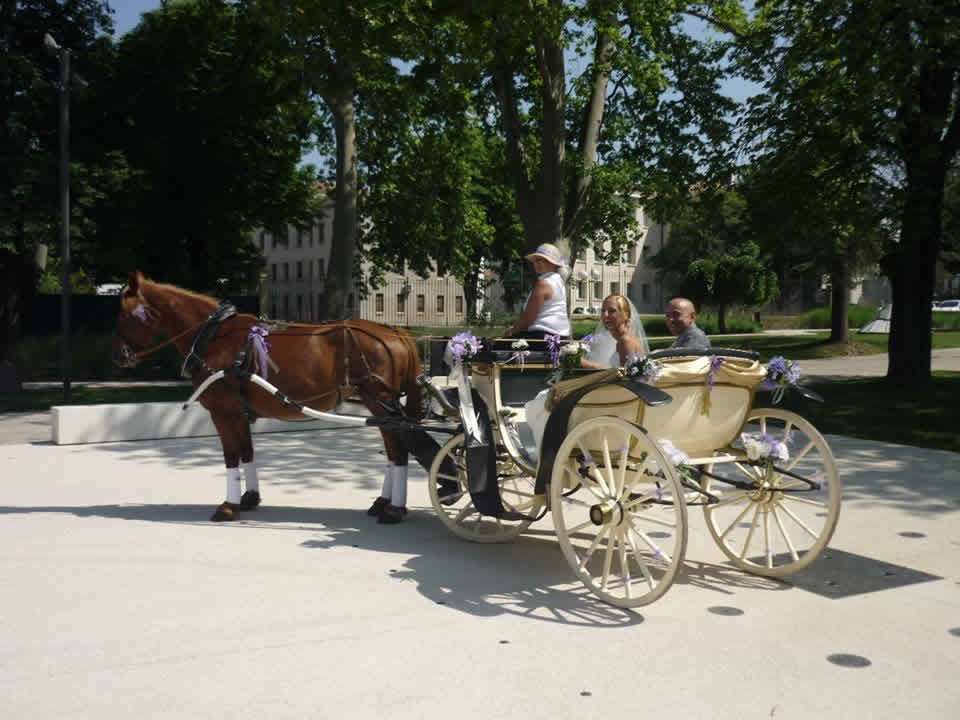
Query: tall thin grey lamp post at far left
[[64, 55]]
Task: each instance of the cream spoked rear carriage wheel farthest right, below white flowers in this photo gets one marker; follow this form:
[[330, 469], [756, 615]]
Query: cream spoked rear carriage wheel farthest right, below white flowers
[[785, 520]]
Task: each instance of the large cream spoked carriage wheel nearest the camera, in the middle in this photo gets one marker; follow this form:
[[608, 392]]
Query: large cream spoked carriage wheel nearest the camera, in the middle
[[624, 531]]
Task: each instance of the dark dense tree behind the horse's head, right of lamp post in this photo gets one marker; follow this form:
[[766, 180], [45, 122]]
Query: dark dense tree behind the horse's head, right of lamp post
[[212, 137]]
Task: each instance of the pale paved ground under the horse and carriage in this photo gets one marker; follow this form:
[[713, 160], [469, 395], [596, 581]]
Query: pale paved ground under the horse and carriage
[[121, 600]]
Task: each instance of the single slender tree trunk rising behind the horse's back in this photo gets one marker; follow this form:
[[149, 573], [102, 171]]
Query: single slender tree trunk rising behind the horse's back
[[343, 246]]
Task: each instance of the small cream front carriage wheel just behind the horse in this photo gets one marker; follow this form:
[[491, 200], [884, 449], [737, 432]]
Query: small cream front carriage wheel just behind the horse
[[516, 493]]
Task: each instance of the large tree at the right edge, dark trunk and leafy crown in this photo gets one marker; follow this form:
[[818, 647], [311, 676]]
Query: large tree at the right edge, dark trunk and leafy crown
[[889, 73]]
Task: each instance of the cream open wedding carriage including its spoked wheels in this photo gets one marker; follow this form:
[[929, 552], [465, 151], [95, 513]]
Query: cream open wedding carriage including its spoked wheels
[[617, 472]]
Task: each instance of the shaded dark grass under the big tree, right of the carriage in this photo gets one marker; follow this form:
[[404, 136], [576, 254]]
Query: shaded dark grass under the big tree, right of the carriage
[[874, 409]]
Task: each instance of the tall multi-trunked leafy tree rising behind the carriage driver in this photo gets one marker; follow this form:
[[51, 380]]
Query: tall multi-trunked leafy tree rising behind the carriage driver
[[645, 114]]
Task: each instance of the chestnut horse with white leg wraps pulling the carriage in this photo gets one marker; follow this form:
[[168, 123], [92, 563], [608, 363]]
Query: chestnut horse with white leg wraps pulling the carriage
[[315, 365]]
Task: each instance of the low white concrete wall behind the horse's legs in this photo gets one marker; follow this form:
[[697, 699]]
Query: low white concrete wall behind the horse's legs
[[74, 424]]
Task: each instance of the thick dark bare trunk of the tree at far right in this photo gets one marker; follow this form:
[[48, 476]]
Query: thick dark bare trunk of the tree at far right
[[912, 271]]
